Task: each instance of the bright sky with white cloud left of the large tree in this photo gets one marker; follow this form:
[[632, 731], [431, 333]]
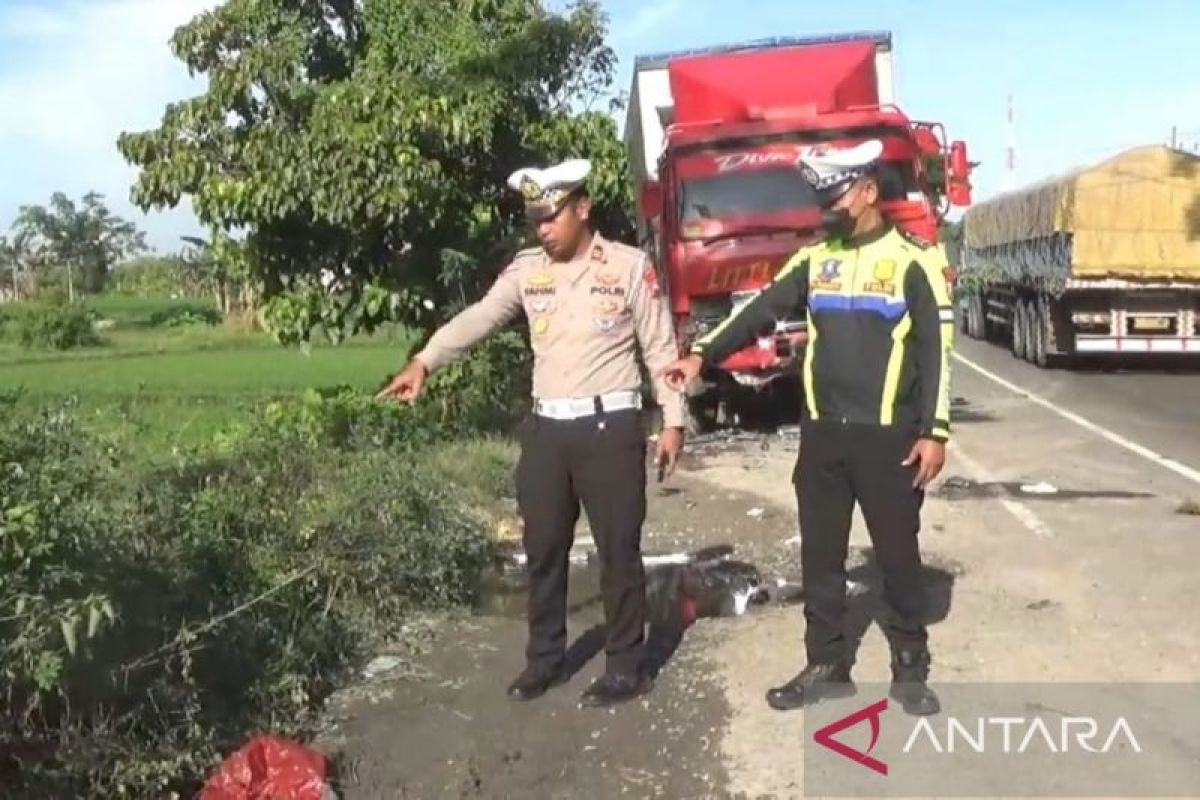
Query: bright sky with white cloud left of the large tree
[[73, 79]]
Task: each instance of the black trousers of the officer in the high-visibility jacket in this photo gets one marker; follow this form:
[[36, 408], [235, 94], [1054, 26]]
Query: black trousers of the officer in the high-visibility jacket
[[838, 466]]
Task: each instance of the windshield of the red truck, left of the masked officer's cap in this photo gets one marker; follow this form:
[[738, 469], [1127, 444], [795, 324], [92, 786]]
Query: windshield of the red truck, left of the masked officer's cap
[[745, 195]]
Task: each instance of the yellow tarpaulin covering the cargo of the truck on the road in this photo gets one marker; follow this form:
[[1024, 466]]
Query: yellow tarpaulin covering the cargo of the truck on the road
[[1135, 216]]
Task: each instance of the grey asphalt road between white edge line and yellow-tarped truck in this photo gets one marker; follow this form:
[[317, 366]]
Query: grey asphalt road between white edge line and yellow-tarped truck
[[1156, 406]]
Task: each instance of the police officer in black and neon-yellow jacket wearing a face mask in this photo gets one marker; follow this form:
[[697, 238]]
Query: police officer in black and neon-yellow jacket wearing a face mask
[[877, 380]]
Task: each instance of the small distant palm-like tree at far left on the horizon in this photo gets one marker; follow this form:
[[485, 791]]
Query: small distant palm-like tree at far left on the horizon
[[85, 240]]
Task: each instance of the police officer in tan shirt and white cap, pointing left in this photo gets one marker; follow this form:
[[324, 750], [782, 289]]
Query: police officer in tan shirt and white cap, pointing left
[[590, 303]]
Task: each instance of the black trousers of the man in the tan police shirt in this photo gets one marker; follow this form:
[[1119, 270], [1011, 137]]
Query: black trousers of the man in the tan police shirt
[[601, 462]]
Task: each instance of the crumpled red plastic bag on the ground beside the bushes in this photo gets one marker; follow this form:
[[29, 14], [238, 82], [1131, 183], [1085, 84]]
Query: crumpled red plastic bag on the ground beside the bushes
[[269, 768]]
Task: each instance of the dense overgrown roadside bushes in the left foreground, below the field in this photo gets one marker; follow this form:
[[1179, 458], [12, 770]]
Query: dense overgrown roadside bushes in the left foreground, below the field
[[151, 622]]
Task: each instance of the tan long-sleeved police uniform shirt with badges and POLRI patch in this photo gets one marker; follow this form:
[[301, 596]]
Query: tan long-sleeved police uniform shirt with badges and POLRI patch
[[586, 320]]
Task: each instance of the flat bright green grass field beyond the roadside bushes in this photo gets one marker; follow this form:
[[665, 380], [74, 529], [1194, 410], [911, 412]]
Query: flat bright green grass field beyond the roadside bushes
[[172, 387]]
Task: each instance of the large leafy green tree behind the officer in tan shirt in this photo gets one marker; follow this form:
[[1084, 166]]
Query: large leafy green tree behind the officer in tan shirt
[[364, 147]]
